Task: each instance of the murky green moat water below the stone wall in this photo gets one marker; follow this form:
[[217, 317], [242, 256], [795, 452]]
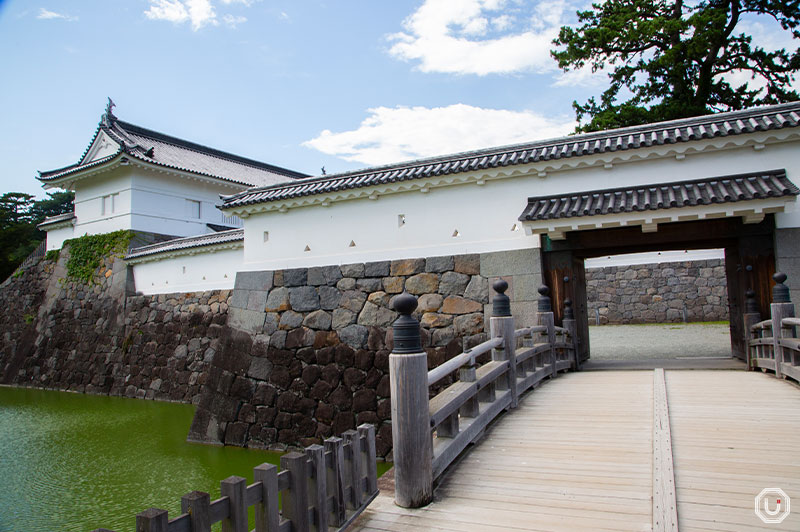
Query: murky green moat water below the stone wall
[[78, 462]]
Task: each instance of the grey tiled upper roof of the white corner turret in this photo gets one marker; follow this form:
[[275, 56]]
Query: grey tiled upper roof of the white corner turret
[[174, 153]]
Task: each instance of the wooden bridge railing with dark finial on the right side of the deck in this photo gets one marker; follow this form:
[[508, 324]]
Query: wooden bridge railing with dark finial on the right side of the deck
[[773, 343]]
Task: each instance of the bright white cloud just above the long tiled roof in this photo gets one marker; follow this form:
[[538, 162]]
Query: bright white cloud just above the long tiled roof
[[401, 133]]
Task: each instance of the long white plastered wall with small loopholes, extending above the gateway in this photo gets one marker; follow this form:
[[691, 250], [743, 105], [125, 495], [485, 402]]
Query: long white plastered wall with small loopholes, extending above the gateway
[[485, 215]]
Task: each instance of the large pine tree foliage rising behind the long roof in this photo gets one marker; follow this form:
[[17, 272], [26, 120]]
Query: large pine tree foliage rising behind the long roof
[[674, 59]]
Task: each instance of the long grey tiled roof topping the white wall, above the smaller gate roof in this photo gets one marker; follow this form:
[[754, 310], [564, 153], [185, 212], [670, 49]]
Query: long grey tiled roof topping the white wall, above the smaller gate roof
[[672, 132]]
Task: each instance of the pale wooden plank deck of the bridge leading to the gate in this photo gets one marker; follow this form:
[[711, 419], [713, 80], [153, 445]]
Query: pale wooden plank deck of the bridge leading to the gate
[[578, 455]]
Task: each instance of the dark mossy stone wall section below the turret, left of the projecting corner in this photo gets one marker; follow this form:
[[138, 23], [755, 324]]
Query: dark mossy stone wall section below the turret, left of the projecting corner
[[95, 338]]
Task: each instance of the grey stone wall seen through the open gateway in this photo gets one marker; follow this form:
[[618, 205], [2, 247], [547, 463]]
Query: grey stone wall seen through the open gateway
[[658, 293]]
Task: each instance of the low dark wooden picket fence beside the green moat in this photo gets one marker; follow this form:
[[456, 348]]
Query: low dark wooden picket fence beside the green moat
[[324, 488]]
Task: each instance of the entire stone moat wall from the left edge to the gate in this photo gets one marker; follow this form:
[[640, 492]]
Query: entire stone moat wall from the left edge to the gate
[[285, 359]]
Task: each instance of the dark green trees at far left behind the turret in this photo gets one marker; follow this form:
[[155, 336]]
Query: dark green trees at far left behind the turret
[[19, 215]]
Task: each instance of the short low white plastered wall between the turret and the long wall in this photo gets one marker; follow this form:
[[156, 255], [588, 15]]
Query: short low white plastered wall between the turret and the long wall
[[207, 270]]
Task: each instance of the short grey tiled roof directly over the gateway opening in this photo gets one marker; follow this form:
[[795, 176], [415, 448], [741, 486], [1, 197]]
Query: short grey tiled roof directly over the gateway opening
[[667, 196]]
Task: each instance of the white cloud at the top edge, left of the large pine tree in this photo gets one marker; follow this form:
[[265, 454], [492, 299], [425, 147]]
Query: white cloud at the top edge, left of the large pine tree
[[480, 36]]
